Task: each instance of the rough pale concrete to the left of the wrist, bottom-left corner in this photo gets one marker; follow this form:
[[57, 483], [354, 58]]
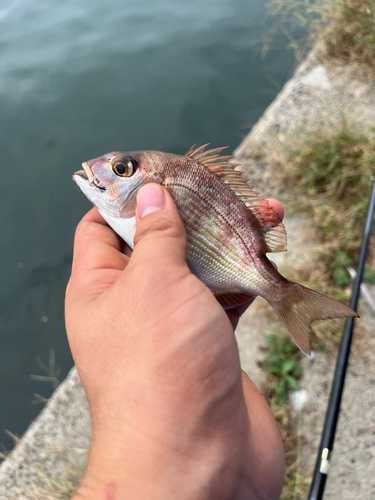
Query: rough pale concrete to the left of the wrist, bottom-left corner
[[52, 454]]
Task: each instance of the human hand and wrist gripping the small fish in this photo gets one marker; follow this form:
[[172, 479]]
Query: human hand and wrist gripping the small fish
[[172, 414]]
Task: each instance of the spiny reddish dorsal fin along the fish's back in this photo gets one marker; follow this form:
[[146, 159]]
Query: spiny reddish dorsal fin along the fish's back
[[274, 234]]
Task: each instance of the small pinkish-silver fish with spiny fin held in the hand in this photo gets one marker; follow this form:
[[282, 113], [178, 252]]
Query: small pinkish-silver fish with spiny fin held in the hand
[[230, 228]]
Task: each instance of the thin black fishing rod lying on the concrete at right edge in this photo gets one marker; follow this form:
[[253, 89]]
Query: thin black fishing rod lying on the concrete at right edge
[[332, 415]]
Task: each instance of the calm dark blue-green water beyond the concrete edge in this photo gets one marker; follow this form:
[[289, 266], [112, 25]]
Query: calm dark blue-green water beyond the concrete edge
[[82, 77]]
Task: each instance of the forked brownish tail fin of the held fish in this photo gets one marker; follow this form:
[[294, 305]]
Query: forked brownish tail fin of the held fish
[[300, 306]]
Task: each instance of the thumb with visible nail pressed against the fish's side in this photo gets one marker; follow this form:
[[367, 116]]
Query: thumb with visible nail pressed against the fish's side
[[160, 236]]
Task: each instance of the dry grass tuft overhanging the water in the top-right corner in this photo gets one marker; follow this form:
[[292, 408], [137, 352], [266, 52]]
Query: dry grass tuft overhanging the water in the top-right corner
[[346, 28]]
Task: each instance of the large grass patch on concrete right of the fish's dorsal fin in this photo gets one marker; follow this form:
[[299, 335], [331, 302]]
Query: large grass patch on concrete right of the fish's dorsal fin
[[331, 172]]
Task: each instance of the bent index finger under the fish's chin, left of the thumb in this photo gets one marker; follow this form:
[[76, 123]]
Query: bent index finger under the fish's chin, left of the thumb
[[96, 246]]
